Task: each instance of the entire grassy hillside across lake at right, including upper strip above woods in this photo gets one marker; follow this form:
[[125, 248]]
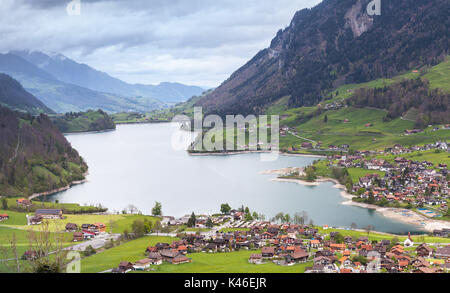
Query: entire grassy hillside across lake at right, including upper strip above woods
[[354, 132]]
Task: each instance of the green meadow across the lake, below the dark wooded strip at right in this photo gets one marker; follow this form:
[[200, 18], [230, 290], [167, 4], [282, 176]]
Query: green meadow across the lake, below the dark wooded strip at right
[[355, 133]]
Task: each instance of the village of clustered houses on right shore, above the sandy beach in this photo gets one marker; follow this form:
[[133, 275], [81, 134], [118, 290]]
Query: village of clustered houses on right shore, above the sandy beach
[[405, 183]]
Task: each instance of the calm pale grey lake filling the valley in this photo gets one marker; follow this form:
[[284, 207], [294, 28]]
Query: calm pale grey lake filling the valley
[[137, 165]]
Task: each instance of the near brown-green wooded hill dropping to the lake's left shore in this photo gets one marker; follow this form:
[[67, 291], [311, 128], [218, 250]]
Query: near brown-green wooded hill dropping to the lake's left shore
[[34, 156]]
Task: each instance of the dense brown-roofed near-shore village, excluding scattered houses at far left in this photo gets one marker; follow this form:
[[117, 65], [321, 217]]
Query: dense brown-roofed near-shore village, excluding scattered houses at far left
[[291, 244]]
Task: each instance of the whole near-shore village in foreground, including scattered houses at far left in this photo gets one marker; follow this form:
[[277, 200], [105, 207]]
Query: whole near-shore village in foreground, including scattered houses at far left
[[323, 249]]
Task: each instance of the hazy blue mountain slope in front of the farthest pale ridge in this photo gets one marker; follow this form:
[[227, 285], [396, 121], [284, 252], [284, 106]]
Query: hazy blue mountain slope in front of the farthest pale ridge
[[66, 97]]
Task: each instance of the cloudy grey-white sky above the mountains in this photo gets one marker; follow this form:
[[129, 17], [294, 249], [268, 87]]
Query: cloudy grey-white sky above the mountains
[[199, 42]]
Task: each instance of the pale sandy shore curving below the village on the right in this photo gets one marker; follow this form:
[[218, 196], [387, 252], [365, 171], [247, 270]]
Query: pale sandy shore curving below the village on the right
[[401, 215]]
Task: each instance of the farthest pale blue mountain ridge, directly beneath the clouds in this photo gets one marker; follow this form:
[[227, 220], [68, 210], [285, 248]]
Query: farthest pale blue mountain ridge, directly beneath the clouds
[[69, 71]]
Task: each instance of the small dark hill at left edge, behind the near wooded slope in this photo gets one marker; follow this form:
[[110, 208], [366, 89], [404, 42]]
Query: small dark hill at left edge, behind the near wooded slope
[[14, 96]]
